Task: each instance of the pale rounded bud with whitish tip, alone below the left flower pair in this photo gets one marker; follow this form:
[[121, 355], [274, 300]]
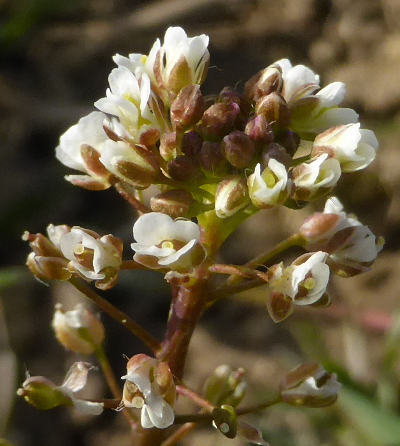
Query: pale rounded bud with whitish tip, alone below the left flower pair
[[78, 330]]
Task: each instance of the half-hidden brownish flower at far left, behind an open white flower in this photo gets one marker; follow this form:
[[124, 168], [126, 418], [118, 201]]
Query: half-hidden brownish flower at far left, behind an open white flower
[[46, 260]]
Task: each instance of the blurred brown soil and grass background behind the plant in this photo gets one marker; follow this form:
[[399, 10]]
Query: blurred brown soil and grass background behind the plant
[[55, 58]]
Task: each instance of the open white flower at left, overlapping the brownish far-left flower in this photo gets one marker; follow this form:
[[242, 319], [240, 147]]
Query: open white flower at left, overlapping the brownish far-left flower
[[93, 257]]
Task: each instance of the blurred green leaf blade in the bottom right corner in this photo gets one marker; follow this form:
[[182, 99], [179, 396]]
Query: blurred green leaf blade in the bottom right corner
[[380, 426]]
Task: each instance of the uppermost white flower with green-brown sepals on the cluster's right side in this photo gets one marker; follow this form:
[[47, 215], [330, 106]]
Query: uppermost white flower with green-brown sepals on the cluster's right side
[[313, 109]]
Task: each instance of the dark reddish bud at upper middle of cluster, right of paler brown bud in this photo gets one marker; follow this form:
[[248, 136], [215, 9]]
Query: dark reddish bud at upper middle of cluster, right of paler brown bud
[[218, 120]]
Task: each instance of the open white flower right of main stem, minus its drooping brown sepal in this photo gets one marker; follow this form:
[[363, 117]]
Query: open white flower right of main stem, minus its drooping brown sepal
[[304, 281]]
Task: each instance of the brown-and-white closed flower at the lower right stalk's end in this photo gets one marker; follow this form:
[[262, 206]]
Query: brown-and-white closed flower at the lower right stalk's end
[[310, 385]]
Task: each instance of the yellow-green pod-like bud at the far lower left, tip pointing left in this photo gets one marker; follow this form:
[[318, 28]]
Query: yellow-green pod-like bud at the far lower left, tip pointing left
[[42, 393]]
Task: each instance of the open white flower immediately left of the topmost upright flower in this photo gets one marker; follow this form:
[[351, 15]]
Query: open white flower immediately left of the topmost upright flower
[[132, 101]]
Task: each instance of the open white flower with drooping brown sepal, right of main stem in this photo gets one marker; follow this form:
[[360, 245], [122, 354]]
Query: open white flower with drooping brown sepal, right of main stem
[[304, 282]]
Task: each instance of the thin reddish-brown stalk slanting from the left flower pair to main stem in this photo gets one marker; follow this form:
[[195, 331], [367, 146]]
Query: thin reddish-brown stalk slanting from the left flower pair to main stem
[[117, 315]]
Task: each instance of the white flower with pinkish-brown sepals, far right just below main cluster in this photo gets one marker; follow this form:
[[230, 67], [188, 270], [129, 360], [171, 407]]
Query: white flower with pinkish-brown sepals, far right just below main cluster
[[352, 247]]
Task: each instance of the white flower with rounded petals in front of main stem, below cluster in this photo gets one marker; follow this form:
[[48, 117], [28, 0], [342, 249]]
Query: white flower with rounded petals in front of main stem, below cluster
[[162, 242]]
